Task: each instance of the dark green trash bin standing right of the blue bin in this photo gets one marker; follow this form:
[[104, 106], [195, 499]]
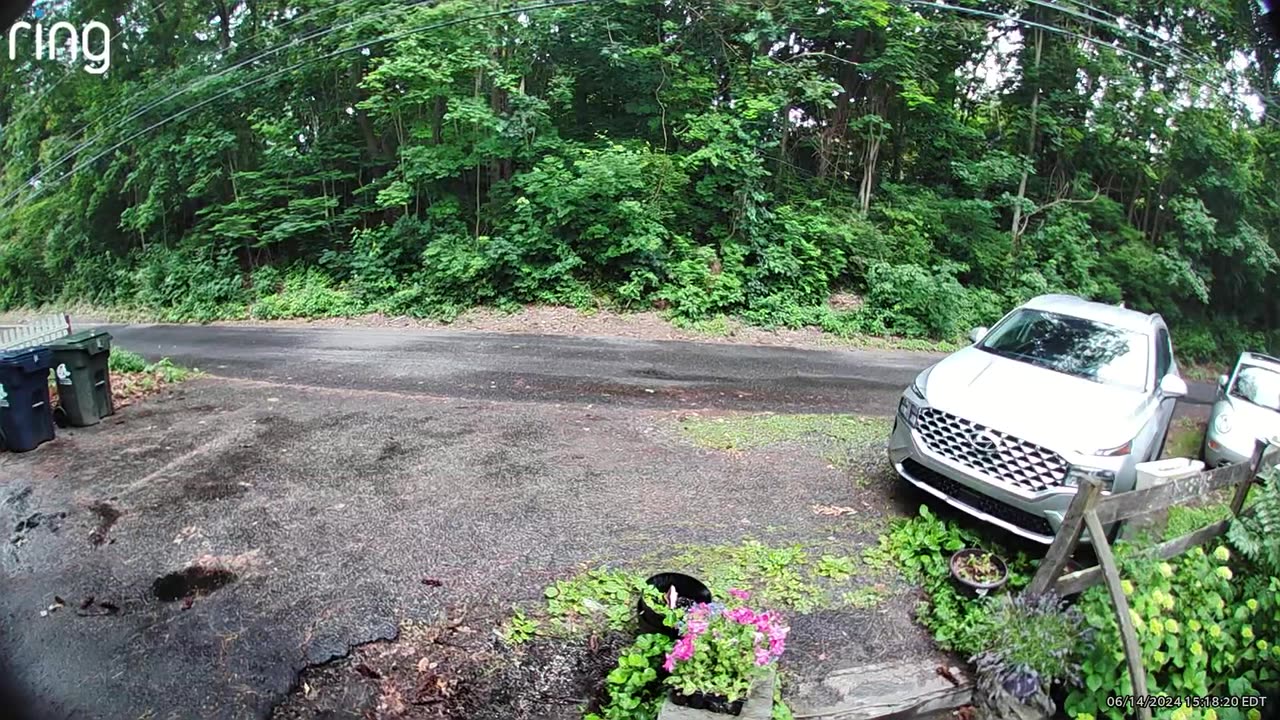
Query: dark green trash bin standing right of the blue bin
[[83, 377]]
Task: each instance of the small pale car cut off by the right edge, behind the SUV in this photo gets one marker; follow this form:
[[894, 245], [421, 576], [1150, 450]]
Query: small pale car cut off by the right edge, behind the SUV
[[1247, 409]]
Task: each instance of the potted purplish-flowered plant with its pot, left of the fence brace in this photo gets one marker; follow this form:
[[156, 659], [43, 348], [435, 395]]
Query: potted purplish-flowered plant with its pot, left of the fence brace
[[1031, 646]]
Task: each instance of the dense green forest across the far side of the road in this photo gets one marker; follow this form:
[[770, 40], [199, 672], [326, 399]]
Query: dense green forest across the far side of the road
[[929, 165]]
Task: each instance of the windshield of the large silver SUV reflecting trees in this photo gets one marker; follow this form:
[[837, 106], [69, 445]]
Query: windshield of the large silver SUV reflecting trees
[[1075, 347]]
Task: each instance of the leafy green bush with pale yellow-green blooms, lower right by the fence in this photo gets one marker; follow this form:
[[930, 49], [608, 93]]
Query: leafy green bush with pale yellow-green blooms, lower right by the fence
[[1204, 632]]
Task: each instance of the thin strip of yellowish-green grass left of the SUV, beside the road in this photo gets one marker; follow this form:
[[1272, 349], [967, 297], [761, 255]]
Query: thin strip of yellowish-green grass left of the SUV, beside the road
[[747, 432]]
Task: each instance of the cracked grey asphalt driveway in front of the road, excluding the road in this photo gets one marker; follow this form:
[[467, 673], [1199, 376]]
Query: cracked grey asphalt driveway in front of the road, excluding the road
[[321, 511]]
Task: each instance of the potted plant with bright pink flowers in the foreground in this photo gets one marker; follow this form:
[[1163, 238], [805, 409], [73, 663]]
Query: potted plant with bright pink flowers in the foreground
[[725, 651]]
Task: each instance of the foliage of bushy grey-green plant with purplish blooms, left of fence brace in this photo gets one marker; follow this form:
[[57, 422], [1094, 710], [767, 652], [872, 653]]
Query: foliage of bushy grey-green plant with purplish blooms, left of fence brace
[[1031, 642]]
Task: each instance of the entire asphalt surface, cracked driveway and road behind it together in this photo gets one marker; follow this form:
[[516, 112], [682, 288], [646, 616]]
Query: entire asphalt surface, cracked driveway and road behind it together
[[323, 473]]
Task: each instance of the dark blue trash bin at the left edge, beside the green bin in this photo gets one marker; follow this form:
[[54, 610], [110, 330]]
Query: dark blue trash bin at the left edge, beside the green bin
[[26, 420]]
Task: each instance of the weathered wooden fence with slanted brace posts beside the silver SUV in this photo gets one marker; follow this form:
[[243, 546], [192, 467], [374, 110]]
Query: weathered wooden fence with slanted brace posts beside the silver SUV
[[1095, 512]]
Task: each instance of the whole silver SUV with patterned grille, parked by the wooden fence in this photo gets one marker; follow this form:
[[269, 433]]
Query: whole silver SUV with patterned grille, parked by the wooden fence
[[1059, 390]]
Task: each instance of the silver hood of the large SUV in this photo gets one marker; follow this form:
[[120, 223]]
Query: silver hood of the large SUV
[[1052, 409]]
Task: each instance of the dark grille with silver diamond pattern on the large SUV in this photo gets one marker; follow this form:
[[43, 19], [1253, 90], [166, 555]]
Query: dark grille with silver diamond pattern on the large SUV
[[998, 455]]
